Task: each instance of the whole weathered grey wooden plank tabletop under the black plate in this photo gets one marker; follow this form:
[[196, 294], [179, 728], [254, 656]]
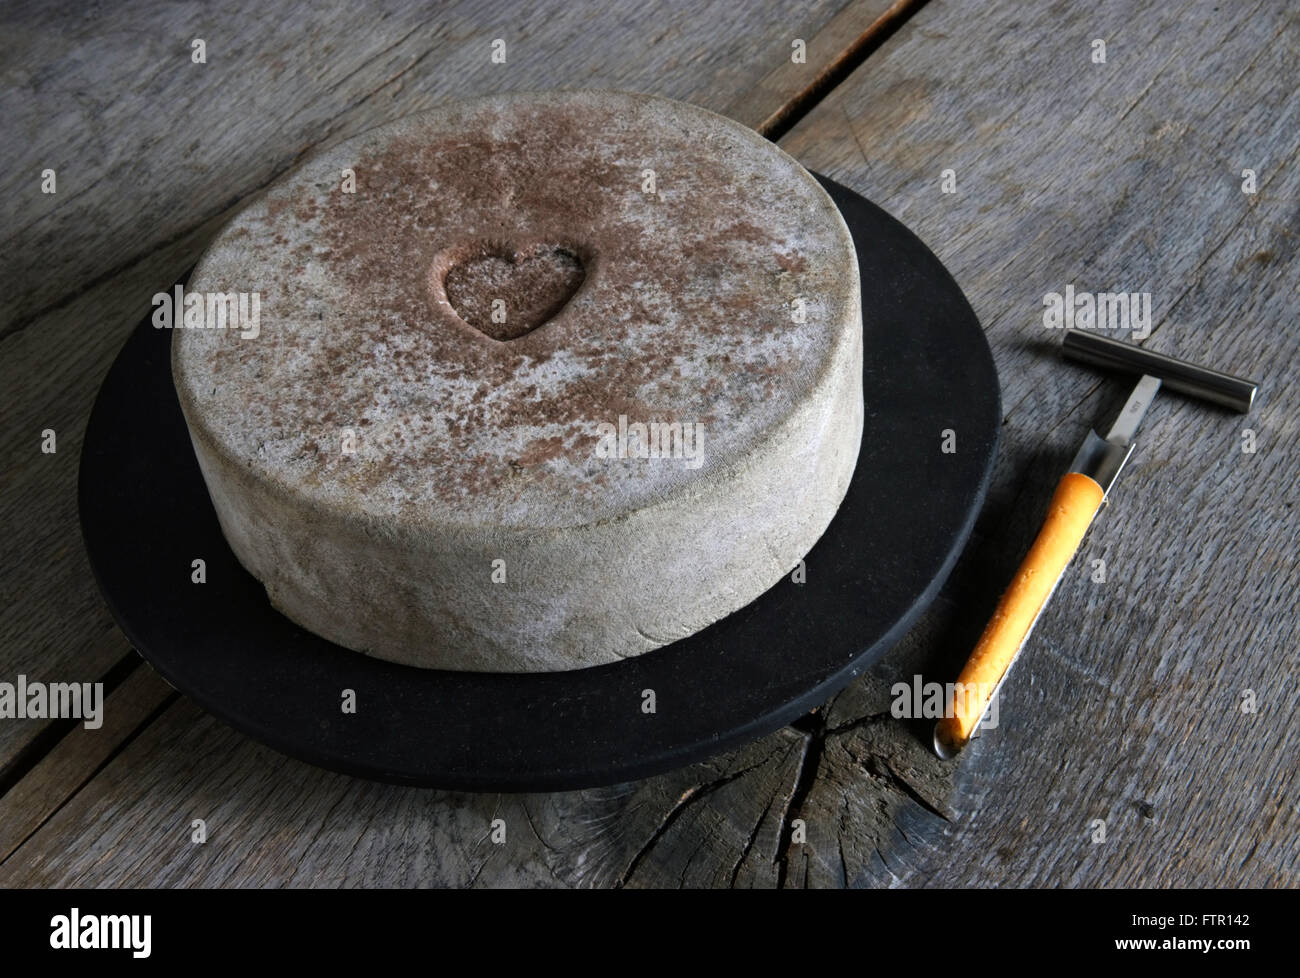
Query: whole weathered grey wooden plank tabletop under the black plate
[[1160, 703]]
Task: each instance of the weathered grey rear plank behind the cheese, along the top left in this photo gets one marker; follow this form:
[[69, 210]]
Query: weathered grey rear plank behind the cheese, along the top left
[[149, 145]]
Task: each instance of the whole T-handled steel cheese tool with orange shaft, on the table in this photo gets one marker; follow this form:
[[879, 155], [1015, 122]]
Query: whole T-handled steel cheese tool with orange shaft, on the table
[[1077, 501]]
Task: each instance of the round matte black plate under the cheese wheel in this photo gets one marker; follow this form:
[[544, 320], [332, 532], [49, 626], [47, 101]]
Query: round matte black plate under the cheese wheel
[[146, 517]]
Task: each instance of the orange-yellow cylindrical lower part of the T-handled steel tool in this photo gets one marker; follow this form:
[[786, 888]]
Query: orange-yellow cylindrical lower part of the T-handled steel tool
[[1073, 508]]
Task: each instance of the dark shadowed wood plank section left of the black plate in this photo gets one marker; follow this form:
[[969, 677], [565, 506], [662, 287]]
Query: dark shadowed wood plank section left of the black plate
[[57, 628]]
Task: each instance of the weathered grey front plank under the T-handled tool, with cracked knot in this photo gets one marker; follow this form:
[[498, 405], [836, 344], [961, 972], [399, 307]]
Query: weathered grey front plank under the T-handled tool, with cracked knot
[[1126, 707]]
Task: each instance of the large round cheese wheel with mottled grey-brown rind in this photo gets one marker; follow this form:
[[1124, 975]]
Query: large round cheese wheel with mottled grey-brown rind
[[470, 449]]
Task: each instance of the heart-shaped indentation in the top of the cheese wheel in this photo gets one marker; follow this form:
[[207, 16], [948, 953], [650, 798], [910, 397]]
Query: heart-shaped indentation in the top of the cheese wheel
[[506, 292]]
